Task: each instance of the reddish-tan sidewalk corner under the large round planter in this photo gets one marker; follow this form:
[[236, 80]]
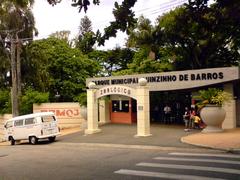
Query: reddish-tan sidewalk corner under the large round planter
[[228, 140]]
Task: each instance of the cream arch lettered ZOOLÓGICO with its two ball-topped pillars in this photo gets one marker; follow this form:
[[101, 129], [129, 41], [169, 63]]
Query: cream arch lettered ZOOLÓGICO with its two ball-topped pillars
[[140, 94]]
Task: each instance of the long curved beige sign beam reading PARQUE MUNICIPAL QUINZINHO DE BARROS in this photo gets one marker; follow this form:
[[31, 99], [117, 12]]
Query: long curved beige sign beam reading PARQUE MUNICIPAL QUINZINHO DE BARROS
[[173, 80]]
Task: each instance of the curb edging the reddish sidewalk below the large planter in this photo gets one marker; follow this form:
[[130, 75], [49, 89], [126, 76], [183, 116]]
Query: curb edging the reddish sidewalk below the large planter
[[229, 150]]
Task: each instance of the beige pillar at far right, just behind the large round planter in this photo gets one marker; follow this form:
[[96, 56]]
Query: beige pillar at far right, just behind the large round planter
[[230, 121]]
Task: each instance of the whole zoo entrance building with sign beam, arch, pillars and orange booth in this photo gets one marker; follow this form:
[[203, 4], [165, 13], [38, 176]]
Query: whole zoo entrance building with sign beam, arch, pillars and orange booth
[[138, 99]]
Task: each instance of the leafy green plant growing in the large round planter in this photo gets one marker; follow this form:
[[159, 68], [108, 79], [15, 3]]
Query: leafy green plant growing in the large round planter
[[212, 96]]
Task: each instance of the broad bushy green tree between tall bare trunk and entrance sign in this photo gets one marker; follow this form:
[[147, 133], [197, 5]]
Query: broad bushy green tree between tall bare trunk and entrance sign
[[55, 67]]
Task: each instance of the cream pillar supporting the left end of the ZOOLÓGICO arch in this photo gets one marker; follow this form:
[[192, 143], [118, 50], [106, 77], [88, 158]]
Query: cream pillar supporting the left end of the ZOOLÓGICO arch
[[92, 112]]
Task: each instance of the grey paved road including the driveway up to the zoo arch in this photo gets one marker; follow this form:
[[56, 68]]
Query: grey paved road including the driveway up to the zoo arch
[[115, 154]]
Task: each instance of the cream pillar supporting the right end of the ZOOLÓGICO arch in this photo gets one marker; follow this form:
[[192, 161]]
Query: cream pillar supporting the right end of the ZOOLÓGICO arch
[[143, 115]]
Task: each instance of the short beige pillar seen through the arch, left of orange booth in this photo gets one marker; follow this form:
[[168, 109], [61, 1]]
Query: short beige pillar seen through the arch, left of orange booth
[[104, 114]]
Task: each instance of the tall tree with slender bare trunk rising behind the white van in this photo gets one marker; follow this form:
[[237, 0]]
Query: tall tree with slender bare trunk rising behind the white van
[[16, 24]]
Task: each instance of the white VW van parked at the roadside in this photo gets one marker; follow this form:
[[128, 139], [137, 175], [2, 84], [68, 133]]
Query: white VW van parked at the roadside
[[32, 127]]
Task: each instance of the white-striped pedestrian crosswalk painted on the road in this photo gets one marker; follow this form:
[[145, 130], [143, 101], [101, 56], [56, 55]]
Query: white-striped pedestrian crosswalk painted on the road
[[187, 166]]
